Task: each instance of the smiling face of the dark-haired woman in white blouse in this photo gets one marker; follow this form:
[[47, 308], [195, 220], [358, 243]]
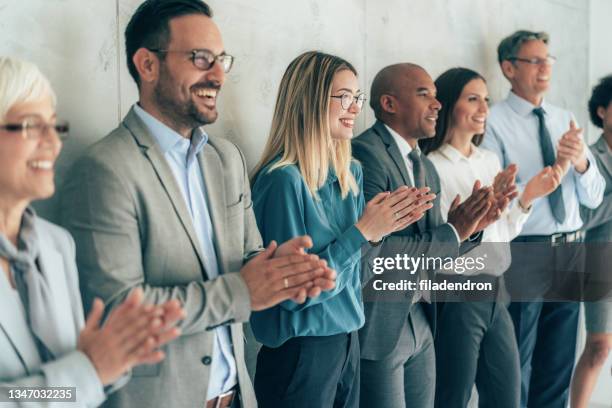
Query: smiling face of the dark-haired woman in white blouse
[[471, 109]]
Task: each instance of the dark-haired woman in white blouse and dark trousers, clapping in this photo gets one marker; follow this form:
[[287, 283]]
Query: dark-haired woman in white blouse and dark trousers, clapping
[[475, 340]]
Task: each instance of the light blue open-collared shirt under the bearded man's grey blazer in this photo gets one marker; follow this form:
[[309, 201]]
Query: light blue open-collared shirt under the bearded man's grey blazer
[[181, 155]]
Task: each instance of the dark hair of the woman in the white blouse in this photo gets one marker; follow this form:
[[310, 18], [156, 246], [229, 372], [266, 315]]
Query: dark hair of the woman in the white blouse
[[449, 86]]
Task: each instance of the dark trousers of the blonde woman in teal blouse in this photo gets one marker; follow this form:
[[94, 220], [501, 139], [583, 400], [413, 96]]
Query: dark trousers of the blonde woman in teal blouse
[[317, 371]]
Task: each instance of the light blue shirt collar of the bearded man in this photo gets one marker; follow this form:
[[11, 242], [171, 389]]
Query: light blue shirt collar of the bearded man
[[168, 139]]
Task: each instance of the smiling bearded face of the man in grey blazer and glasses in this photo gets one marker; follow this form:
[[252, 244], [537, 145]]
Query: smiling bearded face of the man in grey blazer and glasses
[[185, 95]]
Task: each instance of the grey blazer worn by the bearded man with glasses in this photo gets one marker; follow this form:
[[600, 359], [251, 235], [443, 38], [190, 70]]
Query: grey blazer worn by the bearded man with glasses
[[132, 228]]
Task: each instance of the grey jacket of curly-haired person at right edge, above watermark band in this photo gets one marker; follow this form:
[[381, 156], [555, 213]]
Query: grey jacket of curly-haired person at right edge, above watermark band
[[598, 221]]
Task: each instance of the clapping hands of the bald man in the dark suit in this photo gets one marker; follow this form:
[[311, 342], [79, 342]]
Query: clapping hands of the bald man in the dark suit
[[466, 216]]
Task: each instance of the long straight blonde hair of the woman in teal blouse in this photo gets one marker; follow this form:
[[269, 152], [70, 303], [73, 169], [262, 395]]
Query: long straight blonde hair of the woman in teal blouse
[[300, 132]]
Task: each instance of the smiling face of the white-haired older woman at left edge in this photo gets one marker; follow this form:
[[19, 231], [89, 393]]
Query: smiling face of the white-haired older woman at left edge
[[26, 165]]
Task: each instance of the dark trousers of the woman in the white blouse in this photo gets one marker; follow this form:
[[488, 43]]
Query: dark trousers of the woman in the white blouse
[[475, 344]]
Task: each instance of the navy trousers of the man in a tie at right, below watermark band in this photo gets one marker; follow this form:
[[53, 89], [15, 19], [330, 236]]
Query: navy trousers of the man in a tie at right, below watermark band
[[546, 338]]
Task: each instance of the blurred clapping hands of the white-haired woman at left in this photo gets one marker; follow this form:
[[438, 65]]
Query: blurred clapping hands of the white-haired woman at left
[[130, 336]]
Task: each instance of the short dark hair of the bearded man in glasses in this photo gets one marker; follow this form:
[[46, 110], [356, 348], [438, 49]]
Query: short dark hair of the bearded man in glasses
[[149, 26]]
